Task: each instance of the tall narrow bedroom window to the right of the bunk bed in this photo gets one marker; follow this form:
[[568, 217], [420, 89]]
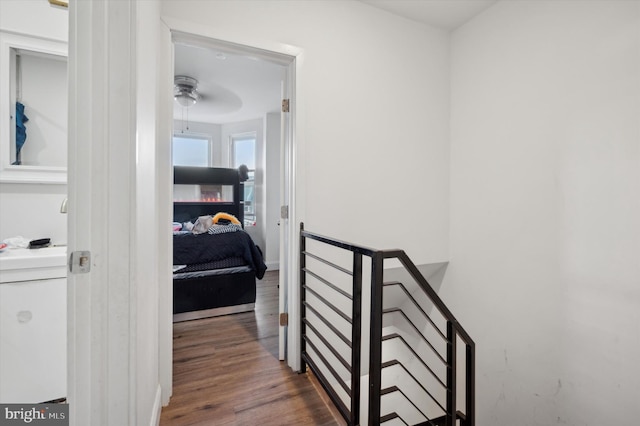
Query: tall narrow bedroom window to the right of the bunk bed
[[244, 152]]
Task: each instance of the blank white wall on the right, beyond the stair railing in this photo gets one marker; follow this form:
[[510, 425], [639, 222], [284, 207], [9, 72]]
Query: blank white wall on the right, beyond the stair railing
[[545, 212]]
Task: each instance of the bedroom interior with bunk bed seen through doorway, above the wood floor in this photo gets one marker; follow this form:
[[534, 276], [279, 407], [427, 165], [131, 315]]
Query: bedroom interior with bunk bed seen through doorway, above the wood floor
[[226, 157]]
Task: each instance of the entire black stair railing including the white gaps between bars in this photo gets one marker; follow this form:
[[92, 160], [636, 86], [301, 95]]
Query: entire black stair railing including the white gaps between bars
[[414, 365]]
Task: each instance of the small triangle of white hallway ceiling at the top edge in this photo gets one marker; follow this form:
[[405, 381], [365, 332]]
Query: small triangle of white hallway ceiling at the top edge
[[445, 14]]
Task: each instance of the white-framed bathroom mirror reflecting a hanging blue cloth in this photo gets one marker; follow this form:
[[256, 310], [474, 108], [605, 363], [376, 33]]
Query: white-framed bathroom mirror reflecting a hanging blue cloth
[[34, 98]]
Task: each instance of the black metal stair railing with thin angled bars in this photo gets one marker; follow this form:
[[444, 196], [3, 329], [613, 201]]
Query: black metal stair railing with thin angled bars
[[319, 351]]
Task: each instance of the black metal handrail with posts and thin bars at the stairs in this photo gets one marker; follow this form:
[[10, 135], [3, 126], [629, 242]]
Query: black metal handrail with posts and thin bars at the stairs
[[454, 331]]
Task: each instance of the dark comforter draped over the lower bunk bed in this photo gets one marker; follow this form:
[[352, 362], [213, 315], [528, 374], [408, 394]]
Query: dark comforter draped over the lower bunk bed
[[189, 249]]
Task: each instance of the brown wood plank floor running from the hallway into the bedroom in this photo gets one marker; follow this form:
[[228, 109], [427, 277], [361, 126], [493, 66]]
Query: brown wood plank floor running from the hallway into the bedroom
[[226, 372]]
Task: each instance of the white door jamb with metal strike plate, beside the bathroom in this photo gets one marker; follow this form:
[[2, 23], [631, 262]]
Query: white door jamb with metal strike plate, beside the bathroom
[[101, 183]]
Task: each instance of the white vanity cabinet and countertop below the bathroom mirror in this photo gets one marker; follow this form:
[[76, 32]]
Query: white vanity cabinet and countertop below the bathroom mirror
[[33, 325]]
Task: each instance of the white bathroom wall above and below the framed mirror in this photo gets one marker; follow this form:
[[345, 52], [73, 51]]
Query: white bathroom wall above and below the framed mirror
[[33, 210]]
